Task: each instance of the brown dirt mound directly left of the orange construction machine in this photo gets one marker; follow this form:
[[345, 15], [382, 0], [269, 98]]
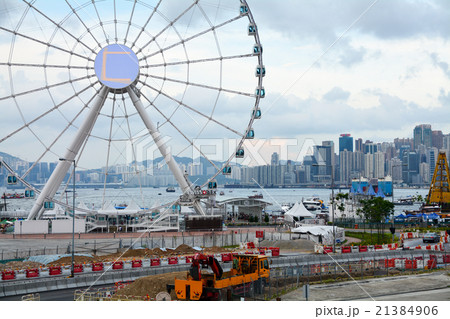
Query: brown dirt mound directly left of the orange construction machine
[[151, 285]]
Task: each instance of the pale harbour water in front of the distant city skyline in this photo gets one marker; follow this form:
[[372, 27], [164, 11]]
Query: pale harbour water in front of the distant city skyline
[[152, 197]]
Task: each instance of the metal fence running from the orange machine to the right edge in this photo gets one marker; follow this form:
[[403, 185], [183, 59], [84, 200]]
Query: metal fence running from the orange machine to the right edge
[[297, 272]]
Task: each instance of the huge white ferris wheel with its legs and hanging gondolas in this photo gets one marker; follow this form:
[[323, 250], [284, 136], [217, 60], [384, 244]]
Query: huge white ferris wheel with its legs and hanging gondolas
[[107, 84]]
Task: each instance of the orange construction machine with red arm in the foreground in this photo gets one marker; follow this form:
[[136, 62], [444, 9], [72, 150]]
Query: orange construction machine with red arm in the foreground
[[248, 272]]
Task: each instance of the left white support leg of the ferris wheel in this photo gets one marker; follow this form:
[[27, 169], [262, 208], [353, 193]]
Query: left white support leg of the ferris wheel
[[63, 167]]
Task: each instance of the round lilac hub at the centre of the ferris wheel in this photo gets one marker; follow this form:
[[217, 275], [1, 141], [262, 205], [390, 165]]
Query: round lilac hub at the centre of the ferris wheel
[[116, 66]]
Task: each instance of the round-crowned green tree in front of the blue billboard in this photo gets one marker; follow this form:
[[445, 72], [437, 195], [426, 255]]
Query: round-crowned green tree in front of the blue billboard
[[376, 210]]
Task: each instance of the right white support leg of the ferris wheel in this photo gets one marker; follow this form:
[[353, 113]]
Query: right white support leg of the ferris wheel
[[170, 161]]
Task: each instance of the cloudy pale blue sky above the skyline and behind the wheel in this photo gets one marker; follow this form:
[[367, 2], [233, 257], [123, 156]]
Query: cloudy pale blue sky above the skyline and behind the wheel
[[374, 69]]
